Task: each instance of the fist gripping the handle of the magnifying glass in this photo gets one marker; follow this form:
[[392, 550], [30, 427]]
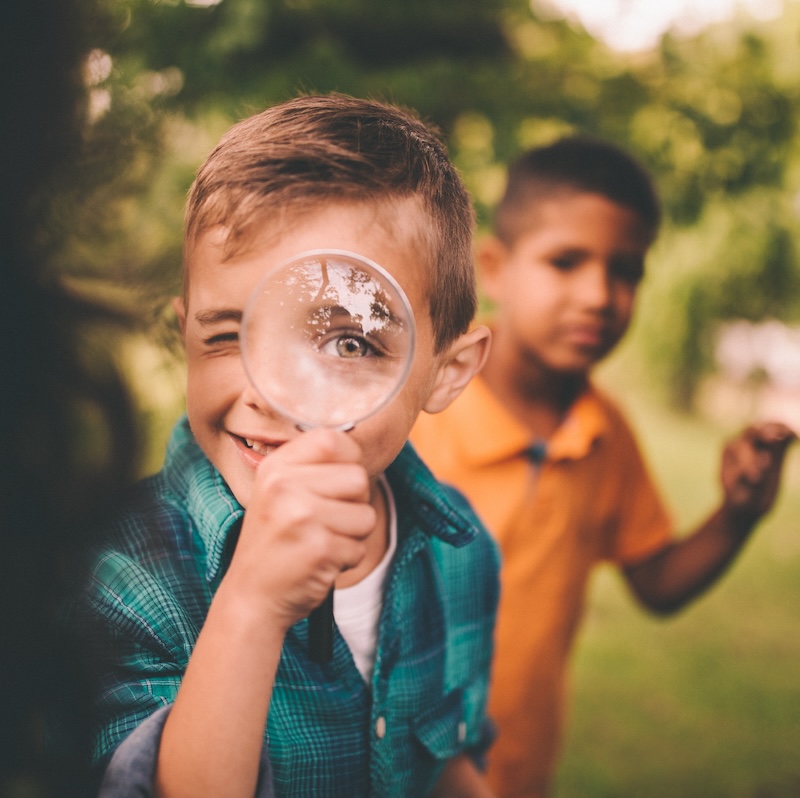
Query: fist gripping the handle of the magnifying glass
[[307, 520]]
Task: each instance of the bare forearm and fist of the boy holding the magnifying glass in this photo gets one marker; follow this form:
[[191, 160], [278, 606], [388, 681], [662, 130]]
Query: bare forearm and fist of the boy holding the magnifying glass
[[306, 521]]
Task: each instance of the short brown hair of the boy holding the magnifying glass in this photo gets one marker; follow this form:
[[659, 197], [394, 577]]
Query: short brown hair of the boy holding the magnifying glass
[[300, 154]]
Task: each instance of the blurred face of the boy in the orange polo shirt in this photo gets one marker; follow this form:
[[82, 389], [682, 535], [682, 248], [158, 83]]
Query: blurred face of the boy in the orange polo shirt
[[565, 290]]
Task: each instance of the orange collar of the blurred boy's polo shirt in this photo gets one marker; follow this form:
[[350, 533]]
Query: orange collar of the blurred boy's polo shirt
[[503, 437]]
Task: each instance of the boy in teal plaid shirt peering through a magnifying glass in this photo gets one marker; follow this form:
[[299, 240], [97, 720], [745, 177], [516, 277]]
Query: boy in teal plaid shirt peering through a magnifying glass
[[199, 603]]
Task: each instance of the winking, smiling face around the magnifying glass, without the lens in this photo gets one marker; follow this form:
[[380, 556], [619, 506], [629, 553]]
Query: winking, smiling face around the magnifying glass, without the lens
[[232, 424]]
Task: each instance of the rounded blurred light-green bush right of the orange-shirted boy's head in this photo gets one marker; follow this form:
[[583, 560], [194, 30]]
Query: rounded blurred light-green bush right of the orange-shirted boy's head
[[739, 261]]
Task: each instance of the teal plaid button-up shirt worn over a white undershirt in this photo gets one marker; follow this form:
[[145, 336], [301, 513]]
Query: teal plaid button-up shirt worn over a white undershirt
[[328, 734]]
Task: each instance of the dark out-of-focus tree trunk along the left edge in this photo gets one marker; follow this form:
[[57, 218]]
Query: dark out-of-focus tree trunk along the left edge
[[68, 424]]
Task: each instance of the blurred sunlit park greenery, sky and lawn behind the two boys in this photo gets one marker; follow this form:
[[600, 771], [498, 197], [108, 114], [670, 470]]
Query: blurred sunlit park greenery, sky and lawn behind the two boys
[[707, 95]]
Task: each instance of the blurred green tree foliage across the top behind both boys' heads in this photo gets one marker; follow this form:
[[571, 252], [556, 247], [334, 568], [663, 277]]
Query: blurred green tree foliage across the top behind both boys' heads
[[714, 117]]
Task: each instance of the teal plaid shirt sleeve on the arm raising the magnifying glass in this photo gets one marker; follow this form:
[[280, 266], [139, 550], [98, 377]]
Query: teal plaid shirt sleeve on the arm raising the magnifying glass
[[144, 609]]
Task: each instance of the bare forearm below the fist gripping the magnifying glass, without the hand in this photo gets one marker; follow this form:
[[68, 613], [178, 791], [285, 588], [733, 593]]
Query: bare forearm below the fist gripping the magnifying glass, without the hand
[[213, 738]]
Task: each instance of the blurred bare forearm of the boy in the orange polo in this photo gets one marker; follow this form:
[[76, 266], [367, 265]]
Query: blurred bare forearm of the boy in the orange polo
[[679, 573]]
